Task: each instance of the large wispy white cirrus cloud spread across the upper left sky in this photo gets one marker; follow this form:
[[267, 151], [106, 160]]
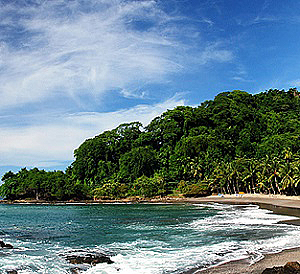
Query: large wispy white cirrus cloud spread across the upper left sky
[[55, 47]]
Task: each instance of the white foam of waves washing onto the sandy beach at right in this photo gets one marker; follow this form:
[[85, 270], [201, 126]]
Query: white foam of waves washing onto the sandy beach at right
[[139, 257]]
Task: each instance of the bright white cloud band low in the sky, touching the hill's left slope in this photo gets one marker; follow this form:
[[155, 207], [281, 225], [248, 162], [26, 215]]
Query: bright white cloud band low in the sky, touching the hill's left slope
[[53, 142]]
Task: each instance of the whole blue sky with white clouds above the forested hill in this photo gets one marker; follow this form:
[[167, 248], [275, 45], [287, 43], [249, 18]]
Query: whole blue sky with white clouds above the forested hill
[[70, 69]]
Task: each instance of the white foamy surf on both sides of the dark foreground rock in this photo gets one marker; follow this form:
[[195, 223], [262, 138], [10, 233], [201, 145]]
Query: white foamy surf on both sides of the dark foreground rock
[[232, 223]]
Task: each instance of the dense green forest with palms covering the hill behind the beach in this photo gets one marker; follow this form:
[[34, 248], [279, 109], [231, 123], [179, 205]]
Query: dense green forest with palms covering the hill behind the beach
[[237, 142]]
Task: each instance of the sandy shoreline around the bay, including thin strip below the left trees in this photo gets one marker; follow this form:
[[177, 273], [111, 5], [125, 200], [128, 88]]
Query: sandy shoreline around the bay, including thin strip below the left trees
[[278, 204]]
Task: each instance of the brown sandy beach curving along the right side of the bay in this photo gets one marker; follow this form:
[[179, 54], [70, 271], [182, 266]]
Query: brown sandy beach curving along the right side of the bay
[[279, 204]]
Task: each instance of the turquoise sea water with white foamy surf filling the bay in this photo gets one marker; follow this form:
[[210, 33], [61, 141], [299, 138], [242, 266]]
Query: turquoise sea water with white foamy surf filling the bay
[[139, 238]]
